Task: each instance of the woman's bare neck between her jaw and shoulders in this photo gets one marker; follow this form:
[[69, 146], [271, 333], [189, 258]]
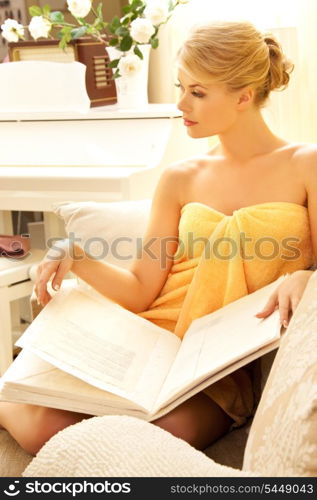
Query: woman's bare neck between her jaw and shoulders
[[248, 137]]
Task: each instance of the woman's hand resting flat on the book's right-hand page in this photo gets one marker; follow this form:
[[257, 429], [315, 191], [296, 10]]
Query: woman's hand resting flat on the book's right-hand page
[[287, 296]]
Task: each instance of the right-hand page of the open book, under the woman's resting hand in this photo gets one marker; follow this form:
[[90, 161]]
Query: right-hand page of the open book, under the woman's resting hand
[[219, 339]]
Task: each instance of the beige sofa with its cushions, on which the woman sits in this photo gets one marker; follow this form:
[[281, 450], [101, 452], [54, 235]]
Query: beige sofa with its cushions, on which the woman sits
[[281, 439]]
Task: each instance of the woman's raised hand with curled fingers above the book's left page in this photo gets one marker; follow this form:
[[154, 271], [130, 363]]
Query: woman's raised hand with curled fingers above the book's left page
[[57, 261]]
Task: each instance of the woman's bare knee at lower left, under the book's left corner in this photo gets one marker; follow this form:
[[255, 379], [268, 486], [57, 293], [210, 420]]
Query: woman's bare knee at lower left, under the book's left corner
[[31, 426]]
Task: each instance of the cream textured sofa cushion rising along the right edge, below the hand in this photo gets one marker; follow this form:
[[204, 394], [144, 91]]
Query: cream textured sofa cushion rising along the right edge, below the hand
[[283, 435]]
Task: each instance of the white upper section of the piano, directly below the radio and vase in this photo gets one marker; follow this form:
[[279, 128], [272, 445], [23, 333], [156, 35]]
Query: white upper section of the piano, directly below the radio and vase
[[103, 137]]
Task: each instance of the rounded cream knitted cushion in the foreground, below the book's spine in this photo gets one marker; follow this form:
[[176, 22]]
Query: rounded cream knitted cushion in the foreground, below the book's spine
[[122, 446]]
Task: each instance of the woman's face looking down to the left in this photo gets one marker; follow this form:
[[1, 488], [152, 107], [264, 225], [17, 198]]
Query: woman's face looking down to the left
[[208, 109]]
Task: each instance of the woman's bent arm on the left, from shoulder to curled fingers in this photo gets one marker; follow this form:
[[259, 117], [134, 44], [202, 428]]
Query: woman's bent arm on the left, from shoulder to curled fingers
[[133, 288]]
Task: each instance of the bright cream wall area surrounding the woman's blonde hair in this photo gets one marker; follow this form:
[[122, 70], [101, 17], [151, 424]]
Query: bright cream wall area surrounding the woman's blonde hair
[[291, 113]]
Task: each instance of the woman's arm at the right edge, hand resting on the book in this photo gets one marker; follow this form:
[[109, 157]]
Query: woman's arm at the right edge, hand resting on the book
[[288, 295]]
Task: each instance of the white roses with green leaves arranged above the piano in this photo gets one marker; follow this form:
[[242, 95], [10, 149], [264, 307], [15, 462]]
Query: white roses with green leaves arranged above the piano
[[139, 24]]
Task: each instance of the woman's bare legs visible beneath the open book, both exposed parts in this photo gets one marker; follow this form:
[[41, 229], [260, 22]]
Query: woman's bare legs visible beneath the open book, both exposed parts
[[199, 421]]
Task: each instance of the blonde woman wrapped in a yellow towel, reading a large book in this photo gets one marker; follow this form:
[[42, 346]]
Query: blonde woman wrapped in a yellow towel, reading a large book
[[226, 72]]
